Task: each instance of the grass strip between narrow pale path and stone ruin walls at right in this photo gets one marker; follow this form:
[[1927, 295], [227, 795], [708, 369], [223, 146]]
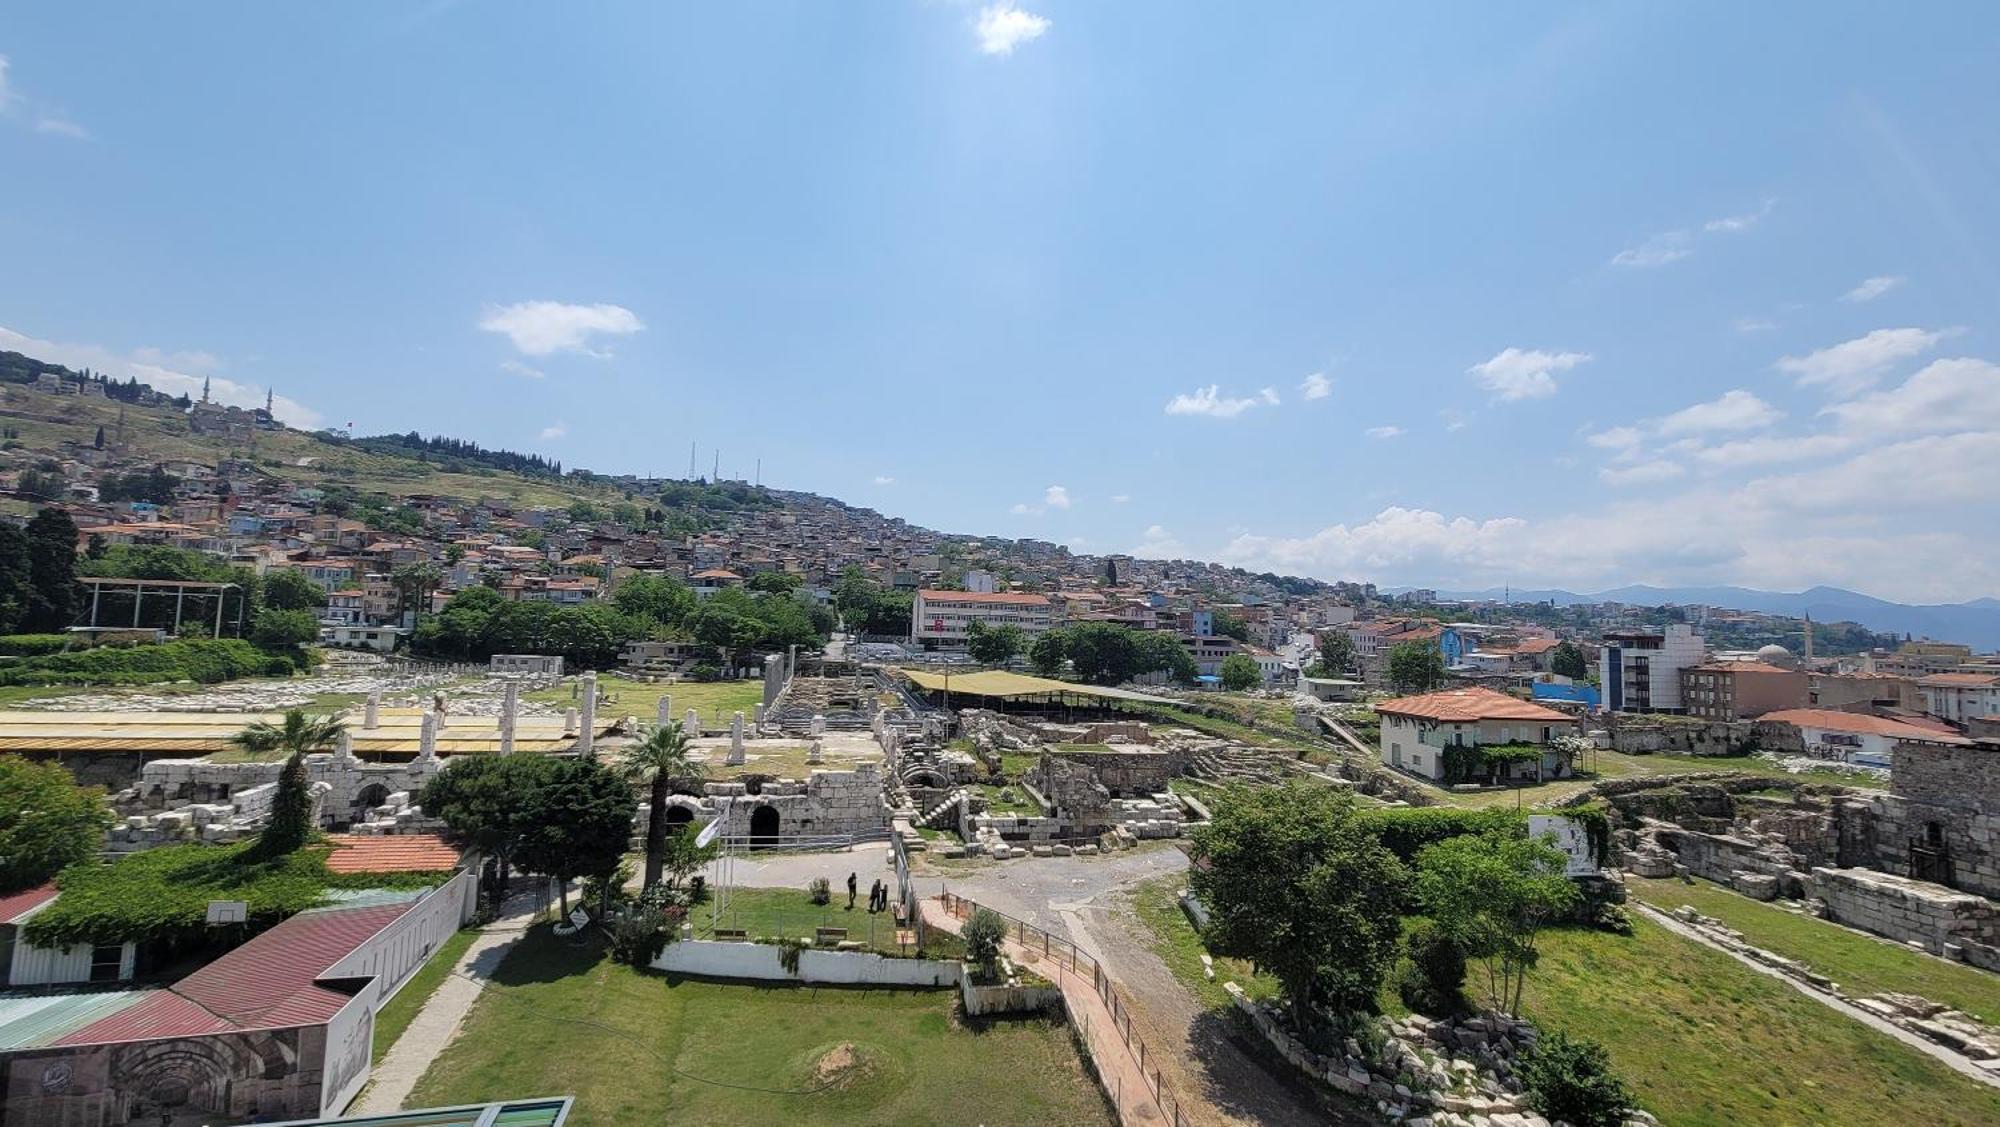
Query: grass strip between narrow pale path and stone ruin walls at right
[[1857, 962]]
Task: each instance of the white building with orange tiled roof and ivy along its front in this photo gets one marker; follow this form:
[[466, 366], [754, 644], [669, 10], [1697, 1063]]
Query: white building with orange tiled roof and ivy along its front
[[1419, 730]]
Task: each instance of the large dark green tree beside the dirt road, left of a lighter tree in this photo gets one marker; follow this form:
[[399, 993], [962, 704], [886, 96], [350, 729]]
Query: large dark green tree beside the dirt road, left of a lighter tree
[[1297, 884]]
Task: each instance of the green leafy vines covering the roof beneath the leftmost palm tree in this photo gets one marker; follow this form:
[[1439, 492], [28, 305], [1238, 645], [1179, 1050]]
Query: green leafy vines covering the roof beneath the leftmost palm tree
[[161, 896]]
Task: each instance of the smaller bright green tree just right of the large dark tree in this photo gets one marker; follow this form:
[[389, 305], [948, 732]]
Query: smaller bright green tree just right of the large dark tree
[[1493, 894]]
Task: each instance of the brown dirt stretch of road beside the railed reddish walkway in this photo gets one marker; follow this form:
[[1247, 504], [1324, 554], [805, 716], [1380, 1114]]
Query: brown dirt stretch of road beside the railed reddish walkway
[[1201, 1058]]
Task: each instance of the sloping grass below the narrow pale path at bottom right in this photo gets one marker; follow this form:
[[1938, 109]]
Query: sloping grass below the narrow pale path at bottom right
[[1707, 1040]]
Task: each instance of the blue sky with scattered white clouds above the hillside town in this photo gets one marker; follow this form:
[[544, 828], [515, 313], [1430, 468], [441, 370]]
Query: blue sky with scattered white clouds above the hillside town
[[1453, 297]]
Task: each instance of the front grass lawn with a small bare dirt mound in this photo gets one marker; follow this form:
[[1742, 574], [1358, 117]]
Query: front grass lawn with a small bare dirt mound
[[643, 1050]]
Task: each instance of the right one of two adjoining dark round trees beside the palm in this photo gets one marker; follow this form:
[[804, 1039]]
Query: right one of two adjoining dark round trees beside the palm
[[579, 824]]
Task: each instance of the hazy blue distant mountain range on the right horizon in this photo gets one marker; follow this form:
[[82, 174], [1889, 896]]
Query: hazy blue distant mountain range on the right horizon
[[1973, 622]]
